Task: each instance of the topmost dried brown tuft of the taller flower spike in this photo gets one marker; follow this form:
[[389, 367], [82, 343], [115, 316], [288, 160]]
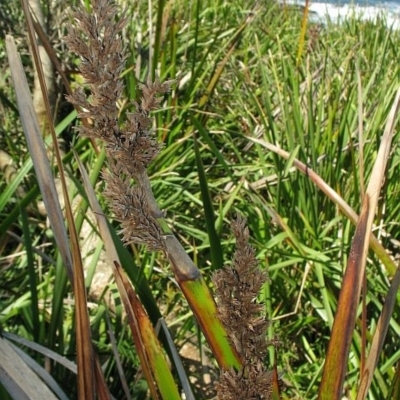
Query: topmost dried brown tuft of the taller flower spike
[[95, 38]]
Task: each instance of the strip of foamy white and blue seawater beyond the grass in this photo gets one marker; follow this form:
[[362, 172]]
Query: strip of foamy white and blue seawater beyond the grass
[[368, 9]]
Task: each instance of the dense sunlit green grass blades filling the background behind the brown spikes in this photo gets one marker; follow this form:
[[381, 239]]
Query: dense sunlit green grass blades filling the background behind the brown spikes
[[238, 77]]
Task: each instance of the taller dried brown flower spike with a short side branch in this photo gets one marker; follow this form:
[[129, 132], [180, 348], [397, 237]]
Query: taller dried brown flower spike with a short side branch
[[96, 39]]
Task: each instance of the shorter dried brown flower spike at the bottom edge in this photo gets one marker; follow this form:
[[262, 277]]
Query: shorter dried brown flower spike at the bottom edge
[[237, 287]]
